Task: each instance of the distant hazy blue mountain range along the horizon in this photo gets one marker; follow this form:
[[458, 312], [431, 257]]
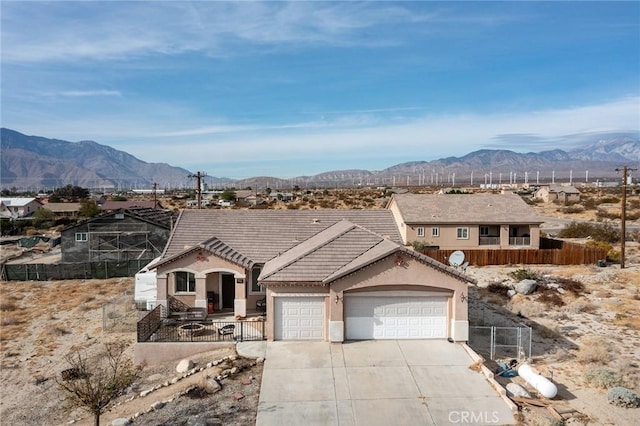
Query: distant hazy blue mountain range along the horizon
[[34, 162]]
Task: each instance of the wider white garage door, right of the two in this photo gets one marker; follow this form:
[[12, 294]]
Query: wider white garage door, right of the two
[[376, 317]]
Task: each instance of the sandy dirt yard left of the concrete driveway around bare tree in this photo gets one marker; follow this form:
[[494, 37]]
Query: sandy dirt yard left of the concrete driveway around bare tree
[[43, 321]]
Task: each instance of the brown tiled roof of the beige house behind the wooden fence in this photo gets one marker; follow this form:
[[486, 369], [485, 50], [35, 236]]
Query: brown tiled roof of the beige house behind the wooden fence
[[465, 209]]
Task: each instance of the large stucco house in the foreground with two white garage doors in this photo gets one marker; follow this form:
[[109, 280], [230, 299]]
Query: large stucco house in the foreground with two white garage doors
[[326, 274]]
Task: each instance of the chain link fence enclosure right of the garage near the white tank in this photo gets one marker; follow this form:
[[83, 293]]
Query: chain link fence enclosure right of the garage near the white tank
[[501, 342]]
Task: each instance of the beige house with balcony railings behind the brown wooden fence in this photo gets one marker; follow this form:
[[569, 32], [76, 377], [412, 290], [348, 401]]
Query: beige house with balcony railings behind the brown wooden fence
[[466, 221]]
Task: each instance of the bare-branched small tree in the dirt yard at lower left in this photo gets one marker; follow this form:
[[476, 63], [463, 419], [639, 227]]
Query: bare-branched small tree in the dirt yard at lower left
[[94, 383]]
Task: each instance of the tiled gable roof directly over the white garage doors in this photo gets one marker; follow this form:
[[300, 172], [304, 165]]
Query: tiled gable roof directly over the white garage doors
[[336, 252]]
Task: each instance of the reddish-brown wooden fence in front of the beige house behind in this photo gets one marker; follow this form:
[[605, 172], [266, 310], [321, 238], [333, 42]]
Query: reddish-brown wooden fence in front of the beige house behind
[[564, 253]]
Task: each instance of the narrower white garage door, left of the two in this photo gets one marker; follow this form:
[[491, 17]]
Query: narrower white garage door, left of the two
[[299, 318]]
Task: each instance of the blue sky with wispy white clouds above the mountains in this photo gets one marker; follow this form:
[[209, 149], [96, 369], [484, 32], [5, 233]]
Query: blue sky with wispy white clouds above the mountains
[[242, 89]]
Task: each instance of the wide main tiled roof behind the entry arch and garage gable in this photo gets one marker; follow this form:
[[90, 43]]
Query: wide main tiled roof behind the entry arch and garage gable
[[263, 234]]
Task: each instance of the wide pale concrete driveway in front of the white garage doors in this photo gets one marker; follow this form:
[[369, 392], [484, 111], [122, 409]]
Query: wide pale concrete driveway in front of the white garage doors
[[405, 382]]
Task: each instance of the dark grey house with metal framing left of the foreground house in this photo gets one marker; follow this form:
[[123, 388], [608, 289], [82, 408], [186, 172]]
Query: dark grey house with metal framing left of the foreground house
[[122, 235]]
